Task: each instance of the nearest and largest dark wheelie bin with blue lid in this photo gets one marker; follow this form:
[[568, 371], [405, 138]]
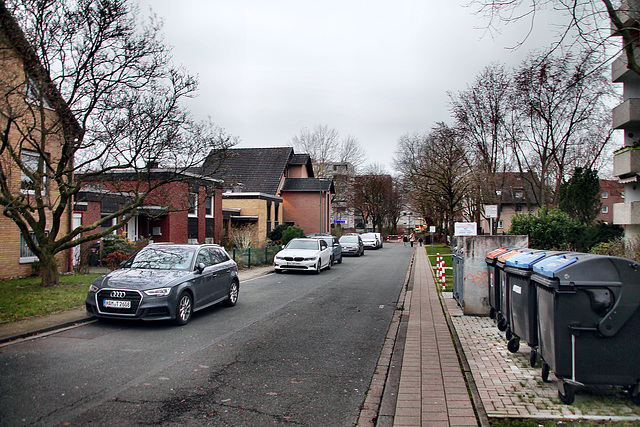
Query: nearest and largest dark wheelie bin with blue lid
[[589, 321]]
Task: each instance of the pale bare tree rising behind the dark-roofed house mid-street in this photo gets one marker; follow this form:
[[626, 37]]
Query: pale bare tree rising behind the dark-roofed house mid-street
[[325, 147]]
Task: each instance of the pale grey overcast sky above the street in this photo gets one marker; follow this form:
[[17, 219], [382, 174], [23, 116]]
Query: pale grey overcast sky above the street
[[373, 69]]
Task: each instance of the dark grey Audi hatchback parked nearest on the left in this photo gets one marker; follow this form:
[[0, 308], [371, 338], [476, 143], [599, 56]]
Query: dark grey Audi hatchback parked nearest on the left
[[166, 282]]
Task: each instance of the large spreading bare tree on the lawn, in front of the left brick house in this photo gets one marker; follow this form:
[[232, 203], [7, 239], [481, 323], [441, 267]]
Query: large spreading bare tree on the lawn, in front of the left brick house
[[118, 100]]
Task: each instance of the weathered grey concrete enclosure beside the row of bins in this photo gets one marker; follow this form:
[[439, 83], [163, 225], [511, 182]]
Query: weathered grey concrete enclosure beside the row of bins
[[473, 280]]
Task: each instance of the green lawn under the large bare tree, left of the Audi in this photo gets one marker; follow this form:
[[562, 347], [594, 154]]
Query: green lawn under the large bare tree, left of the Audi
[[23, 298]]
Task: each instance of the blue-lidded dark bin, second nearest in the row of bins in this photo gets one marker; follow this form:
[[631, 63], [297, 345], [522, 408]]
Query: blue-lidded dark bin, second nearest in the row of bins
[[523, 314]]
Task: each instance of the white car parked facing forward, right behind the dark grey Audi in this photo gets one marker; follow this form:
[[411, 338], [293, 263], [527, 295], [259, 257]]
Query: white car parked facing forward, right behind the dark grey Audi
[[303, 255]]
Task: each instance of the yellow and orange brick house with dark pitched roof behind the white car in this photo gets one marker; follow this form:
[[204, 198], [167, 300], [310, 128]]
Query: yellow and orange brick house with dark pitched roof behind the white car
[[266, 187]]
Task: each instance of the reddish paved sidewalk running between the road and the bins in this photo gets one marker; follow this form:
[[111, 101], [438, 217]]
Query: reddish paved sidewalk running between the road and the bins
[[432, 389]]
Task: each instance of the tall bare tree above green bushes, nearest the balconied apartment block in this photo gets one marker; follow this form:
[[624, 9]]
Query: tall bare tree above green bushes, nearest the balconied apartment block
[[561, 119]]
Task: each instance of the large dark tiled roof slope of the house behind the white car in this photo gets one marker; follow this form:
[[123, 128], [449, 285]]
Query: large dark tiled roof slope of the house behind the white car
[[252, 169]]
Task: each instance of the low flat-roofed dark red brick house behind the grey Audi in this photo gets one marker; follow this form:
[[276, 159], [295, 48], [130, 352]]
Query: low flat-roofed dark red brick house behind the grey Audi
[[187, 210]]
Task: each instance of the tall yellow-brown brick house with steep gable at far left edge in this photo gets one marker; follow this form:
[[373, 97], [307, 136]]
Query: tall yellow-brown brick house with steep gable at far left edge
[[28, 97]]
